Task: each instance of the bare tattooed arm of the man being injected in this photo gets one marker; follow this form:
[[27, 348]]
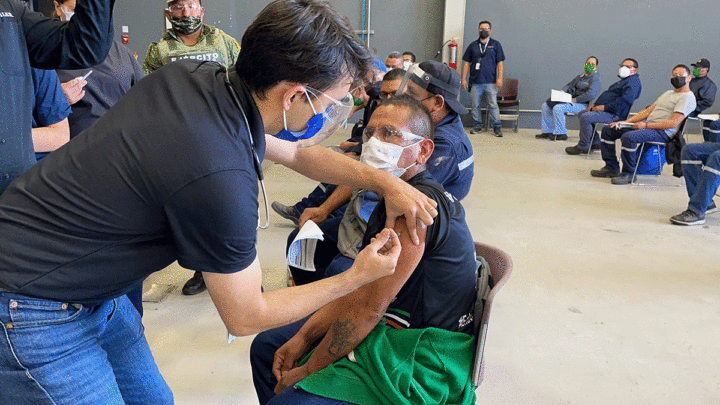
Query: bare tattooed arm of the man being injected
[[346, 321]]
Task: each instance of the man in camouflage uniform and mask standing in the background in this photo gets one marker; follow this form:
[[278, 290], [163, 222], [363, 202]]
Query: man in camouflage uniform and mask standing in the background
[[189, 38]]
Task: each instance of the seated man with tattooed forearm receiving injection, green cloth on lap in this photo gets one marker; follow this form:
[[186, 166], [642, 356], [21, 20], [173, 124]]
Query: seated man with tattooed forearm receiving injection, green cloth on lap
[[426, 303]]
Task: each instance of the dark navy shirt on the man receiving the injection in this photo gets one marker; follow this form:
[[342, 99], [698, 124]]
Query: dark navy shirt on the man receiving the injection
[[441, 291]]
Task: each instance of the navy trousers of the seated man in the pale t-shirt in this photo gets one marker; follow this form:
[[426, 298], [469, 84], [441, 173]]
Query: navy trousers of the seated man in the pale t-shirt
[[631, 141]]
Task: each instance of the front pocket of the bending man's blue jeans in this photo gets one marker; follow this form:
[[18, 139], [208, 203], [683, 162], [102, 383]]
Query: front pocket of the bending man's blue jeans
[[33, 312]]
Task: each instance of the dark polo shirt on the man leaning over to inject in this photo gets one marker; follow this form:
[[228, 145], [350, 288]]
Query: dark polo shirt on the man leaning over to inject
[[167, 174]]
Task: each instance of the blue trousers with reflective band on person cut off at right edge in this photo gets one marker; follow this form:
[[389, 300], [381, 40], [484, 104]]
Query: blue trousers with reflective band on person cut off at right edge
[[701, 169]]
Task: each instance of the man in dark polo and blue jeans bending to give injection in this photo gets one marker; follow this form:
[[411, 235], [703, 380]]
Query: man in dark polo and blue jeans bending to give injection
[[170, 173]]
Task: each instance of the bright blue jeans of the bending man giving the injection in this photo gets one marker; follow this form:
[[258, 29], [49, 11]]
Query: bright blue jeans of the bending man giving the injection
[[54, 352]]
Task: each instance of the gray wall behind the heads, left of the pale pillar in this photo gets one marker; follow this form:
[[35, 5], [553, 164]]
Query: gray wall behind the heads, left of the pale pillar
[[399, 25]]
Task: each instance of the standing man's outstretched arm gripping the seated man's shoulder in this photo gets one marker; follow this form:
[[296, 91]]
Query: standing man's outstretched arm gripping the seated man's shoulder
[[324, 165]]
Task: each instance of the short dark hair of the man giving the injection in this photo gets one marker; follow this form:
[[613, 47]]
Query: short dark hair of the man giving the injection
[[300, 41]]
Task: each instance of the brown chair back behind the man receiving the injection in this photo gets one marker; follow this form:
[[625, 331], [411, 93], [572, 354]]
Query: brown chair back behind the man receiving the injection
[[500, 265]]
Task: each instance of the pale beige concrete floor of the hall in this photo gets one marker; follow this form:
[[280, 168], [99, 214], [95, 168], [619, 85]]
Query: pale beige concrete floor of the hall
[[608, 302]]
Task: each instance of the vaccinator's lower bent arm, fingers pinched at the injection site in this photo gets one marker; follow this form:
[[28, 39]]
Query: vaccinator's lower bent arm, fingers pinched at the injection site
[[246, 310]]
